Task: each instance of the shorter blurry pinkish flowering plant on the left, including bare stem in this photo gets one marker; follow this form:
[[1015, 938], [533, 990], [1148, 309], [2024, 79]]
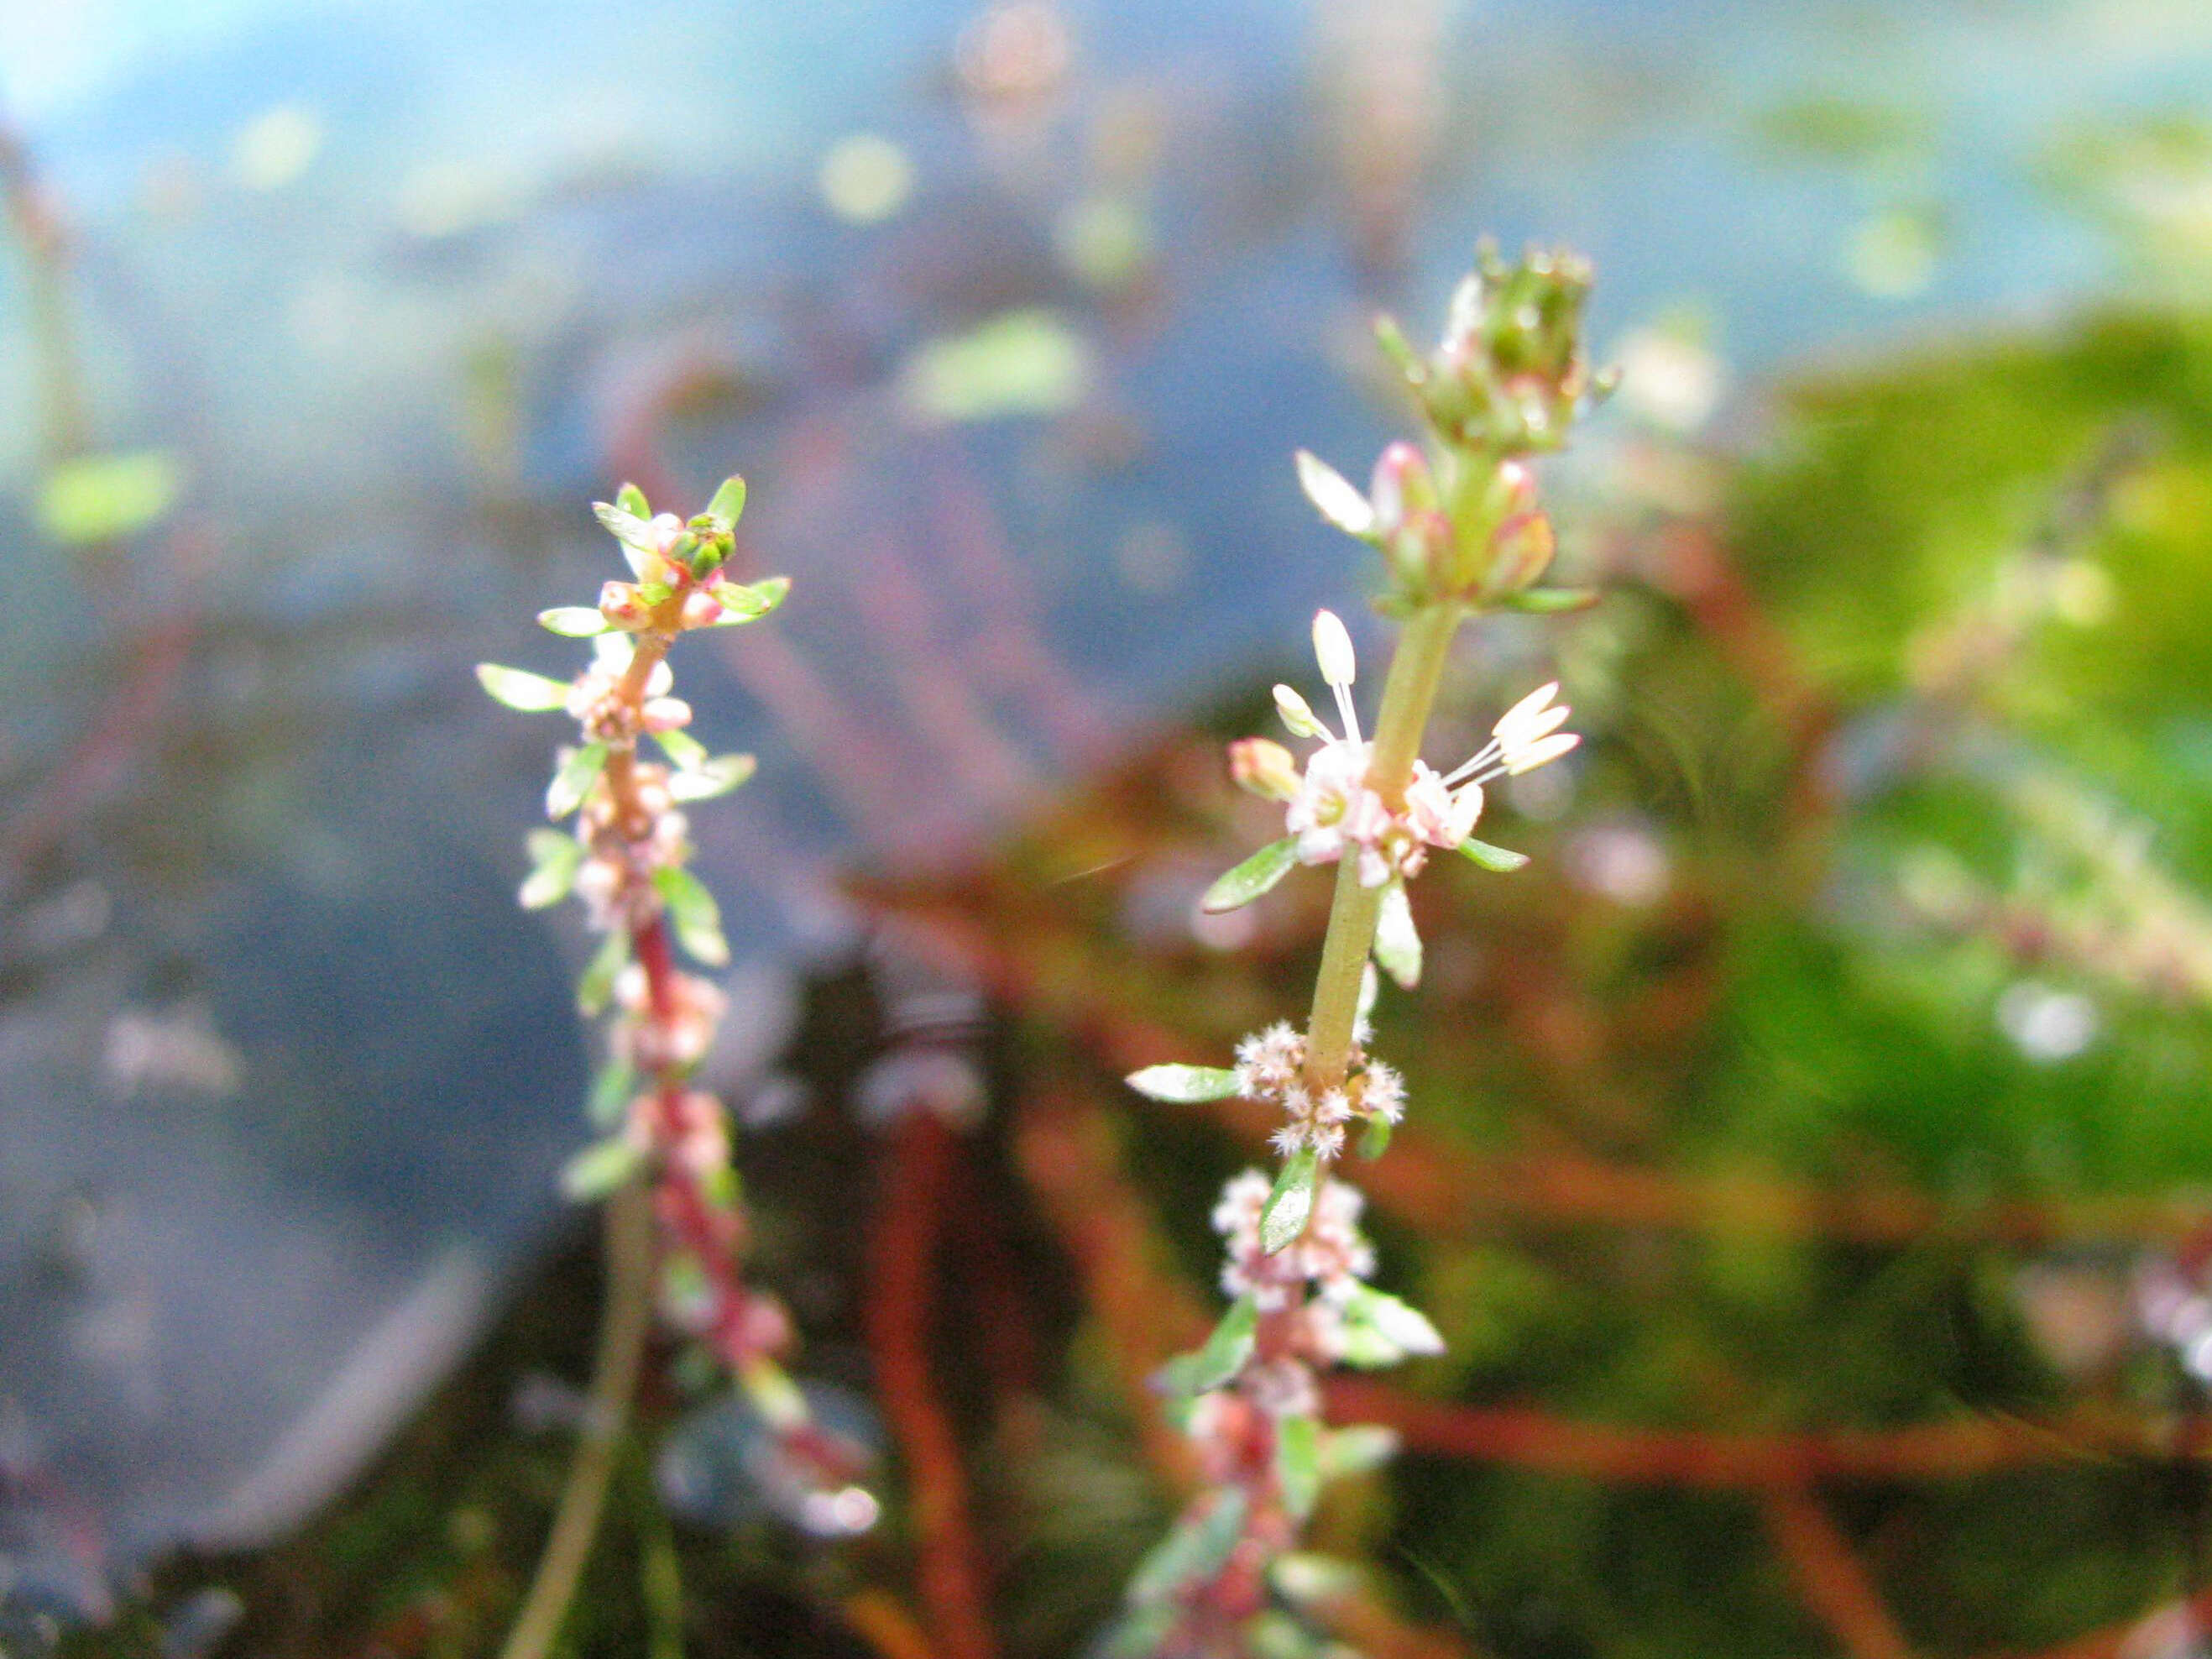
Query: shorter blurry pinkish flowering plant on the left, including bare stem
[[676, 1215]]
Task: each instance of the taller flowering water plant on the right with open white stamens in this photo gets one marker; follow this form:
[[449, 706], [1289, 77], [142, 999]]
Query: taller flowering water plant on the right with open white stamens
[[1461, 534]]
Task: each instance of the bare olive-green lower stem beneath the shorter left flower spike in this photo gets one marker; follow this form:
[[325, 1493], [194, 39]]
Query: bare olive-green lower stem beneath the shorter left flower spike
[[623, 1344]]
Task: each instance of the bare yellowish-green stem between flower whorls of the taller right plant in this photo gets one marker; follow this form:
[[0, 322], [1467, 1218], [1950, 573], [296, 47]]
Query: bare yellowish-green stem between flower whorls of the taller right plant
[[1408, 698]]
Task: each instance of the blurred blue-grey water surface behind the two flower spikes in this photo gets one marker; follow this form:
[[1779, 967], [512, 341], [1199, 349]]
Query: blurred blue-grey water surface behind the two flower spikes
[[1012, 317]]
